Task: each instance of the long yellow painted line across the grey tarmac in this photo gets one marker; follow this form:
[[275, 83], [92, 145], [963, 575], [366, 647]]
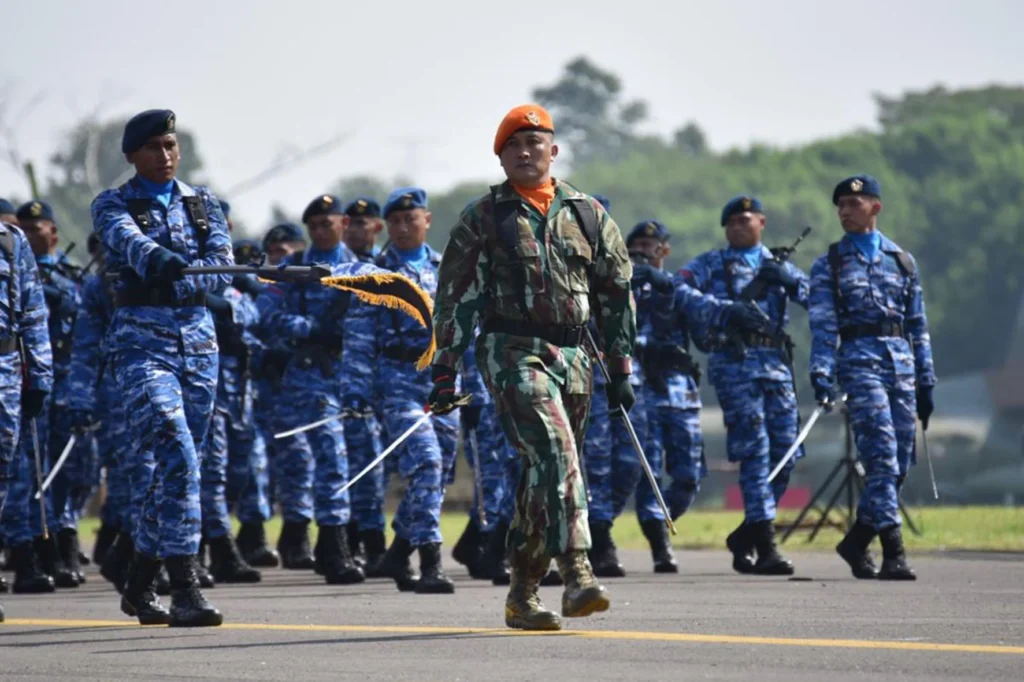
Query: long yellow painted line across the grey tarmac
[[621, 635]]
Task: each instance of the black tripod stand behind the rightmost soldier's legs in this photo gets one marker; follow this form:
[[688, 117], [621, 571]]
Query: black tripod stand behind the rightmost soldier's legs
[[851, 483]]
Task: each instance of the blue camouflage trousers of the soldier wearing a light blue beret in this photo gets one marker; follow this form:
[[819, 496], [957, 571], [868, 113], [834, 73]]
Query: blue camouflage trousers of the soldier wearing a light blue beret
[[424, 461]]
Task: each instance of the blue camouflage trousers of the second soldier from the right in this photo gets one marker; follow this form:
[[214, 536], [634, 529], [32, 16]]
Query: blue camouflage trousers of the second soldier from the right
[[762, 422]]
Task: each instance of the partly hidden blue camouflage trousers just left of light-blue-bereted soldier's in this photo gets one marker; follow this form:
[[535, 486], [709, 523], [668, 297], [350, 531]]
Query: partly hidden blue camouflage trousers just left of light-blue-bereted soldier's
[[363, 439]]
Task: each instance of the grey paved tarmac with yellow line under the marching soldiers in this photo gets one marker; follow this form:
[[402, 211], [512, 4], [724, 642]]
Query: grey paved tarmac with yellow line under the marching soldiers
[[963, 620]]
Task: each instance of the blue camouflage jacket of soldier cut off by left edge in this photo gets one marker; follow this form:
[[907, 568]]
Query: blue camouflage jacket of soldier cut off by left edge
[[24, 314]]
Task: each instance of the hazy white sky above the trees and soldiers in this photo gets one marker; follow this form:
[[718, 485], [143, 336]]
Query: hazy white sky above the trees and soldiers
[[421, 87]]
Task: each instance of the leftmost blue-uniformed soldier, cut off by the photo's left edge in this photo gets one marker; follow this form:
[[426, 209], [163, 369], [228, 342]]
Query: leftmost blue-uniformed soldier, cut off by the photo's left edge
[[25, 385]]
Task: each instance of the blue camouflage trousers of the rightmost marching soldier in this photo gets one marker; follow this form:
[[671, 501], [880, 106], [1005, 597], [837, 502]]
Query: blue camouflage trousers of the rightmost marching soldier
[[883, 414]]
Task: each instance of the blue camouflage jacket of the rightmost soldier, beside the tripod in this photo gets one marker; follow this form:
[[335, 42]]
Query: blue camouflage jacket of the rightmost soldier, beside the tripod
[[870, 293]]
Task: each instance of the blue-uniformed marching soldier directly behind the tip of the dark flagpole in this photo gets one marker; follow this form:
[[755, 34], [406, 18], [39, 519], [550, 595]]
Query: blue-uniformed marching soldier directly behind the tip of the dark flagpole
[[313, 466]]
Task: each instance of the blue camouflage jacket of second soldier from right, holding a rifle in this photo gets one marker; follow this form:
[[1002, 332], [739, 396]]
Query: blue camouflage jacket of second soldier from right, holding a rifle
[[724, 274]]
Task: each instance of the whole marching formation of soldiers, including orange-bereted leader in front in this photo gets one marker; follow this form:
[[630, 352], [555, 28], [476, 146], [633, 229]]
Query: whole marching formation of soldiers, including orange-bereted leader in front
[[199, 378]]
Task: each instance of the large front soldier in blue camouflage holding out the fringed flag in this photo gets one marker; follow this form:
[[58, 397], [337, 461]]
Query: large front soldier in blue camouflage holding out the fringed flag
[[164, 355]]
